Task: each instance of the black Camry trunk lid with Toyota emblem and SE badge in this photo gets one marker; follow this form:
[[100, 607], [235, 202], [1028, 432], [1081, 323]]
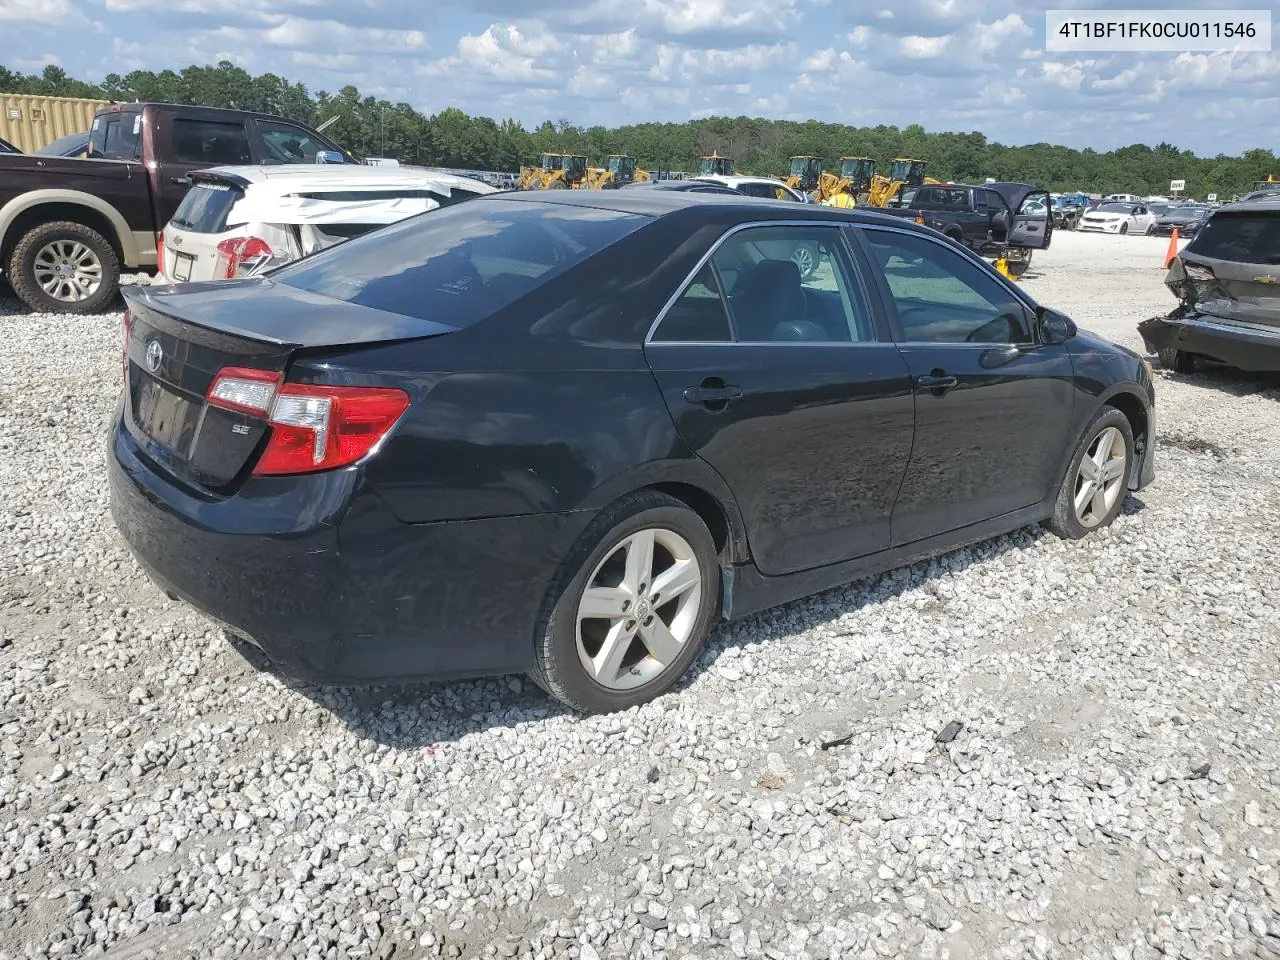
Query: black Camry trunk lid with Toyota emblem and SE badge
[[179, 340]]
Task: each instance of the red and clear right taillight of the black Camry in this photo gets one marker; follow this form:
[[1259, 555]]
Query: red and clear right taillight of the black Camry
[[321, 428]]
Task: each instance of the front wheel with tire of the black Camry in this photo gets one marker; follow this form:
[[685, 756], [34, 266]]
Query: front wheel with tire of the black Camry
[[1095, 487]]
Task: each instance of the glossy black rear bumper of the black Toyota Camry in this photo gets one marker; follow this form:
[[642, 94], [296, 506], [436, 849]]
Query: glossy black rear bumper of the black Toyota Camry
[[321, 575]]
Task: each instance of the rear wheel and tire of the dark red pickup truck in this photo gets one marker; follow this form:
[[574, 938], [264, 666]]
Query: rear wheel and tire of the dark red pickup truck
[[65, 268]]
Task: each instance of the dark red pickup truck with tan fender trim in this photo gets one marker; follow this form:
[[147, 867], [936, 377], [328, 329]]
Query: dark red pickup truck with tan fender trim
[[68, 227]]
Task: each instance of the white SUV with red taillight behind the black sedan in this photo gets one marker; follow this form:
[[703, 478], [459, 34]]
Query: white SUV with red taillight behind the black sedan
[[243, 221]]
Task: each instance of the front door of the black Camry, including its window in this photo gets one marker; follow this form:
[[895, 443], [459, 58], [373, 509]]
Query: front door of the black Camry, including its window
[[993, 406]]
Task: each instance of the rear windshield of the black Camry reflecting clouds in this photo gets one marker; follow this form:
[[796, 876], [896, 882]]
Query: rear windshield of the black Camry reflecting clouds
[[464, 263]]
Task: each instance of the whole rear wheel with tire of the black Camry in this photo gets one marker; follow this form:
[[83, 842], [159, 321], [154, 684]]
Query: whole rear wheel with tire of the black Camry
[[633, 607]]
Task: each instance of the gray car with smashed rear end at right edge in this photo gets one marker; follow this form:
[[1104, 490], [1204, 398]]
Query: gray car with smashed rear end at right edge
[[1228, 286]]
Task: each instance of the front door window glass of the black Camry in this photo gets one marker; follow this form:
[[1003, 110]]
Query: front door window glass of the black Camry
[[943, 298]]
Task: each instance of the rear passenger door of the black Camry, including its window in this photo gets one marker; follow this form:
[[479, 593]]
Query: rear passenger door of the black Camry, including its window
[[793, 391]]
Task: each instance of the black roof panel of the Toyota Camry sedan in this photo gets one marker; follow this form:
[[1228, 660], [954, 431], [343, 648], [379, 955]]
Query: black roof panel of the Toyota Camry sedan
[[662, 203]]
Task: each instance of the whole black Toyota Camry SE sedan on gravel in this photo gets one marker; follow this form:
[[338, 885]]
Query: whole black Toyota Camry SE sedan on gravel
[[566, 433]]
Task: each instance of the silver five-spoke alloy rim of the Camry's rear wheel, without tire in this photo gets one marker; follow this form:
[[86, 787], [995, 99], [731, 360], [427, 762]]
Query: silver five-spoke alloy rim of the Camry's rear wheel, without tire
[[639, 609]]
